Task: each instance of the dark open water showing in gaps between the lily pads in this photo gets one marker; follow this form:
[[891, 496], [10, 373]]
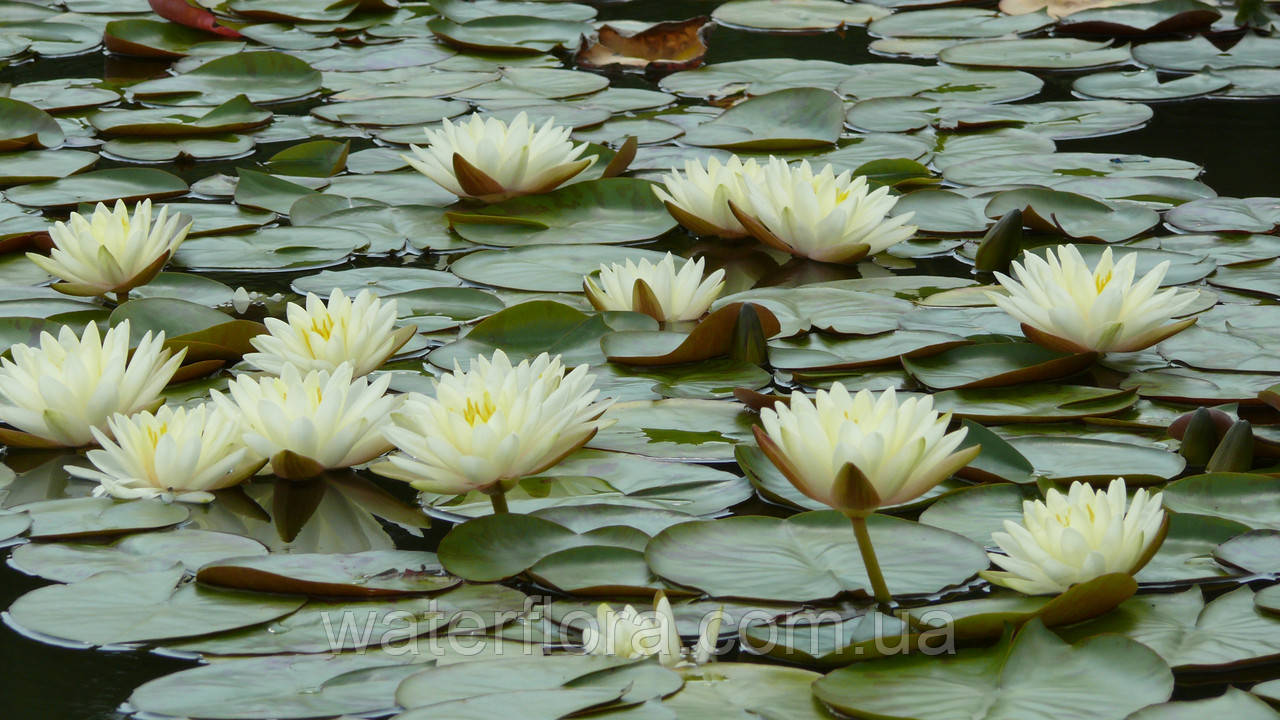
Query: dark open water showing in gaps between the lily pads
[[1236, 142]]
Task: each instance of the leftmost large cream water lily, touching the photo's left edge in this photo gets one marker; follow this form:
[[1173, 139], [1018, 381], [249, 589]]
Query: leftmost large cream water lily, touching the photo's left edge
[[70, 385]]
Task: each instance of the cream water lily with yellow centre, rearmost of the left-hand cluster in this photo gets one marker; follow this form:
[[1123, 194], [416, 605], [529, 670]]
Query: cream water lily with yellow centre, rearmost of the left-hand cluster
[[322, 338]]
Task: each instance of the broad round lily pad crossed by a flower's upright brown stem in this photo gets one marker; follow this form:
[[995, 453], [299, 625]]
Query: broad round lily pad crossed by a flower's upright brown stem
[[810, 557]]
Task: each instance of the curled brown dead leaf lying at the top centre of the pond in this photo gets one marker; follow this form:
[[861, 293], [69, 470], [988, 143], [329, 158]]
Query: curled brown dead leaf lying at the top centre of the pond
[[661, 49]]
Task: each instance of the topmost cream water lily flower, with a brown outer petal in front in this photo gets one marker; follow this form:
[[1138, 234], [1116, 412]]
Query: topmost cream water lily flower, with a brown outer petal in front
[[490, 161]]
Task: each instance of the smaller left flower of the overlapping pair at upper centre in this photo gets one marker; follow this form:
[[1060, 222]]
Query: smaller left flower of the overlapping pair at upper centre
[[700, 197]]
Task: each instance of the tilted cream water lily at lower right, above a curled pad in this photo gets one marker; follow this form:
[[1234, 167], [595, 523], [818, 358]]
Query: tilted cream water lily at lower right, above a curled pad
[[1073, 539]]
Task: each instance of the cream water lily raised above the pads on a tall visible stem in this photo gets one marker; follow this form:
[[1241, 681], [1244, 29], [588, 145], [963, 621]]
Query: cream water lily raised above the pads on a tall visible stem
[[822, 446]]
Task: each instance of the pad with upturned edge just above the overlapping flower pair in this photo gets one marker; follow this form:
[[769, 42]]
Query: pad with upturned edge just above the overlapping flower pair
[[785, 120]]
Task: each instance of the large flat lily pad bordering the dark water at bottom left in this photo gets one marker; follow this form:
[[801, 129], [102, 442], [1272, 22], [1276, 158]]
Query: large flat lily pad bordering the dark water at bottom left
[[118, 608]]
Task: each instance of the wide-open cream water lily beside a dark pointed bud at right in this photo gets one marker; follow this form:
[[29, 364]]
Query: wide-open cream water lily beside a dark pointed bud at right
[[1067, 307]]
